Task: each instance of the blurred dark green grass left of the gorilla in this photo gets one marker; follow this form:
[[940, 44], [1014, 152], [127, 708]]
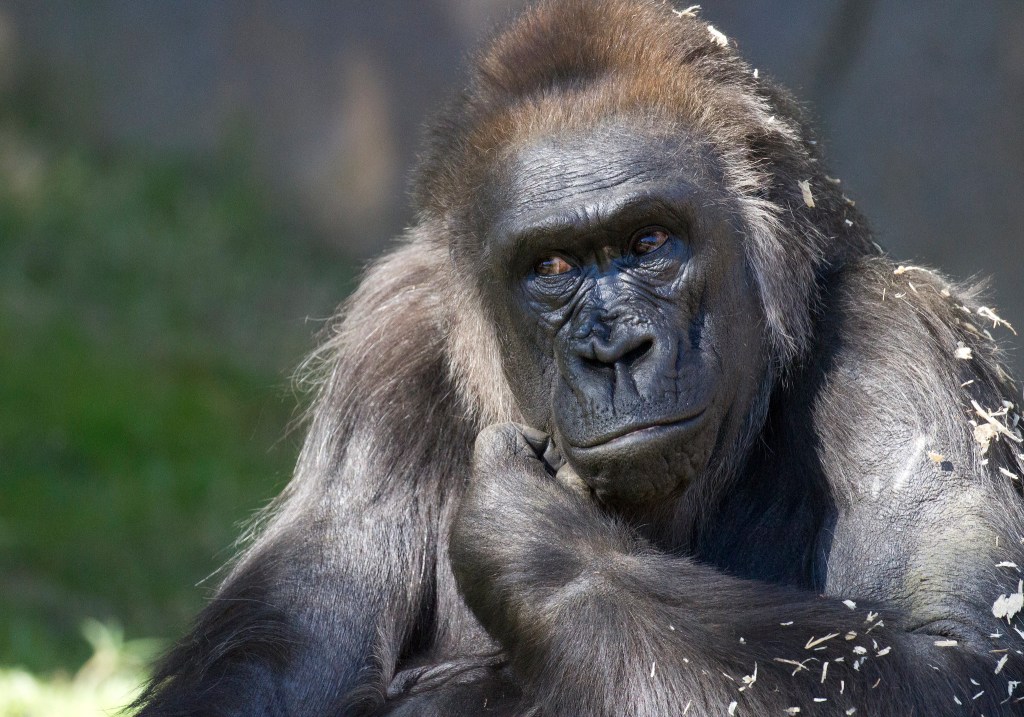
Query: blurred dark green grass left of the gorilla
[[151, 310]]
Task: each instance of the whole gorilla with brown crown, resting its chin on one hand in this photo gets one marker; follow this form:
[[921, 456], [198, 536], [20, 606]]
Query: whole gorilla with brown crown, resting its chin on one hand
[[637, 420]]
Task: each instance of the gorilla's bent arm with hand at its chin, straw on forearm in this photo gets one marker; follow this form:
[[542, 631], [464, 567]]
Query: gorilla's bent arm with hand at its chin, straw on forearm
[[598, 622]]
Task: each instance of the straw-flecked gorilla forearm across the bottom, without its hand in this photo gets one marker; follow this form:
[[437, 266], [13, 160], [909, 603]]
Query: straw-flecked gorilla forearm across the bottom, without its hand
[[650, 636]]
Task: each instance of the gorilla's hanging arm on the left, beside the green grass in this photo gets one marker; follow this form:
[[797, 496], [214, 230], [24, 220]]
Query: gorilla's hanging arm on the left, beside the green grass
[[332, 591]]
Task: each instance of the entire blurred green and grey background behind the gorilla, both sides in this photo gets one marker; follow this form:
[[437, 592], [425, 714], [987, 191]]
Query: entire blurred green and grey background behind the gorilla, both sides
[[188, 190]]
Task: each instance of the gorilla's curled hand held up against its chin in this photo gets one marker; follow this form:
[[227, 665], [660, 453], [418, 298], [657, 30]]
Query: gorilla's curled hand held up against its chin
[[526, 528]]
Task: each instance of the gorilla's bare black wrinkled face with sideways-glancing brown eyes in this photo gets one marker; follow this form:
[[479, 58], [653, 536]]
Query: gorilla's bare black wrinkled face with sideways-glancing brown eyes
[[630, 329]]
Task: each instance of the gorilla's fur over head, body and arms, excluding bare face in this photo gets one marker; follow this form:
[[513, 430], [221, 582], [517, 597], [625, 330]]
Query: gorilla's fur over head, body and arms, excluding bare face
[[346, 603]]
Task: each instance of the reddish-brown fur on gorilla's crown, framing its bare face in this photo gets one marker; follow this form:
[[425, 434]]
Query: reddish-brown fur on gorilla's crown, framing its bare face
[[568, 67]]
